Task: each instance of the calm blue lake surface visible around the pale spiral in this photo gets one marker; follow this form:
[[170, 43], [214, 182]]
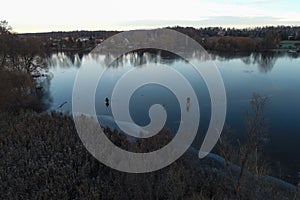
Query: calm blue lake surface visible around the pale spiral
[[270, 74]]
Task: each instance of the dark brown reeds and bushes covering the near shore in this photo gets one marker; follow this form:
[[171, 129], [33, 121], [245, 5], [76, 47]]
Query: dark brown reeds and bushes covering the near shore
[[42, 157]]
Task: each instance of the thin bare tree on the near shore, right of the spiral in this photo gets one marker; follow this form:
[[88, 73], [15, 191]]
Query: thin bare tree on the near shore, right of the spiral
[[248, 153]]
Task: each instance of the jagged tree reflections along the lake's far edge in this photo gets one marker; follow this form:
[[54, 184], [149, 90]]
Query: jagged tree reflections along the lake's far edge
[[264, 61]]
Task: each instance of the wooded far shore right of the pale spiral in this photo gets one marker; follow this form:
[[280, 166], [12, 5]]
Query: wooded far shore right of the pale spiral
[[231, 39]]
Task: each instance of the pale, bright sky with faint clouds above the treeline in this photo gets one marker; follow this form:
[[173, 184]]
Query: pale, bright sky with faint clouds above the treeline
[[62, 15]]
